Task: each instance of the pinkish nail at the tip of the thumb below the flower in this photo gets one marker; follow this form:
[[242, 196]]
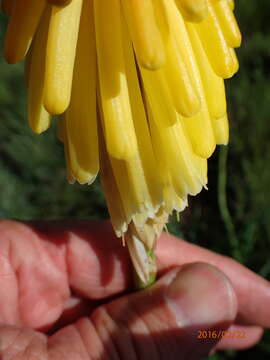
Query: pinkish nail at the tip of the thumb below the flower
[[201, 295]]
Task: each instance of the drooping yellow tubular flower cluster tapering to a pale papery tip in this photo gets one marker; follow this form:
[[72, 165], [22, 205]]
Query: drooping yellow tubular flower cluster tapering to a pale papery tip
[[139, 87]]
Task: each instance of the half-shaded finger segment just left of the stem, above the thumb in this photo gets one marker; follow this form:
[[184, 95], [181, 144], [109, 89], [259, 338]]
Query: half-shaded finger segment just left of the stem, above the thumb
[[107, 280]]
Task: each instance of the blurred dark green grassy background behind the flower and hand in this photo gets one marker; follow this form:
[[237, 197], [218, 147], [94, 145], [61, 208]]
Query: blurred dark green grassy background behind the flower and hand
[[232, 217]]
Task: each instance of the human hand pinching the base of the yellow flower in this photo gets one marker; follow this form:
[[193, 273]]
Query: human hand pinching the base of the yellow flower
[[65, 294]]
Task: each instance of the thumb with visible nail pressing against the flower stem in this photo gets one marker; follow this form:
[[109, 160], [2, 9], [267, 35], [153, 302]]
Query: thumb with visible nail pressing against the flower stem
[[164, 321]]
